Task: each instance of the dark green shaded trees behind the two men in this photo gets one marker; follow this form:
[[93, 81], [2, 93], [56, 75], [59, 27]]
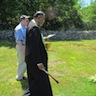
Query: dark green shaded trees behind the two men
[[67, 16]]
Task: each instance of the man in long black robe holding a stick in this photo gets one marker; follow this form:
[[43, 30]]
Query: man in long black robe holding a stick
[[36, 59]]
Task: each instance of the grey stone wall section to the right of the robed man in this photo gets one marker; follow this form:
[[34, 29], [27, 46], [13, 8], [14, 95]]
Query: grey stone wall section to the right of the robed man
[[71, 35]]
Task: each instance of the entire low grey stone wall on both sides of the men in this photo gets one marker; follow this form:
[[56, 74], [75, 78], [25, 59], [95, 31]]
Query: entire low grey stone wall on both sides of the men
[[60, 35]]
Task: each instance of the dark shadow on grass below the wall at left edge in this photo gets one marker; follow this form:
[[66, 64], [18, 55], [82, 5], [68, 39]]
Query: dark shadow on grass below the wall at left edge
[[5, 43]]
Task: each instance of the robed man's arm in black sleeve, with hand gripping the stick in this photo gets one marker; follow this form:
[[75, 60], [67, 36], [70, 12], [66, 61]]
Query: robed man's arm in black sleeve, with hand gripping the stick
[[36, 38]]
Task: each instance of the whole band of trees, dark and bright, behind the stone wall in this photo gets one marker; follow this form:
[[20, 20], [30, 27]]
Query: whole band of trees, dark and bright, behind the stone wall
[[69, 13]]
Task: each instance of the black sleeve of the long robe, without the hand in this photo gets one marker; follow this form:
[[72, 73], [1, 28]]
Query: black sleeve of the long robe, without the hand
[[35, 42]]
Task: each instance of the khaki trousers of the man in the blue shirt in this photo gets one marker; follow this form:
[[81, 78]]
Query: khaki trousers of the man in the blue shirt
[[21, 63]]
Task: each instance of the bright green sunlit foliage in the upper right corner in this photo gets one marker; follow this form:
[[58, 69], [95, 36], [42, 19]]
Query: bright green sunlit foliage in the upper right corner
[[89, 16]]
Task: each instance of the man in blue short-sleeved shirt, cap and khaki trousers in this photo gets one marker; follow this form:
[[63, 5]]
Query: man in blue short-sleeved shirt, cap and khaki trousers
[[20, 36]]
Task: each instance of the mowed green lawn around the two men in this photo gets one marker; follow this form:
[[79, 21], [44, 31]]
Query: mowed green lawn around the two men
[[70, 62]]
